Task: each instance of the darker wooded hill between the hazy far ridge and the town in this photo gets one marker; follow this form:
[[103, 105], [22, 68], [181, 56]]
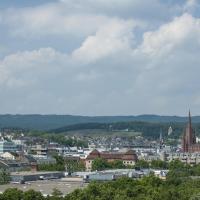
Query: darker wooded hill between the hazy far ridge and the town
[[148, 129]]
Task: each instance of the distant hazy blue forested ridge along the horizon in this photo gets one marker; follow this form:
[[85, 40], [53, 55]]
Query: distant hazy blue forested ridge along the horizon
[[47, 122]]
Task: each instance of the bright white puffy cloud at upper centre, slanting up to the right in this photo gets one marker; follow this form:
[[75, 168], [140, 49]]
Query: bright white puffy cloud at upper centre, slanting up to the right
[[114, 37]]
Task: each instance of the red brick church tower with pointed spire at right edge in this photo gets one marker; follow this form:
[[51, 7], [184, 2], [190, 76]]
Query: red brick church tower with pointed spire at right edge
[[189, 138]]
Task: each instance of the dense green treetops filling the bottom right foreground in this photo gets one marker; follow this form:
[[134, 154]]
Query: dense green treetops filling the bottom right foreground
[[148, 188]]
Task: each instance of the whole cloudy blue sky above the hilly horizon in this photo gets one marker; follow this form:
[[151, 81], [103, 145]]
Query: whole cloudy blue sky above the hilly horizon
[[100, 57]]
